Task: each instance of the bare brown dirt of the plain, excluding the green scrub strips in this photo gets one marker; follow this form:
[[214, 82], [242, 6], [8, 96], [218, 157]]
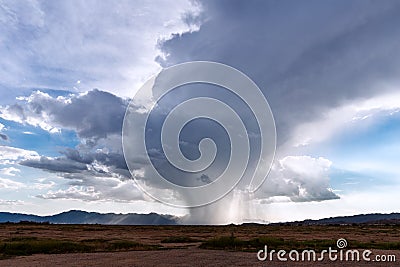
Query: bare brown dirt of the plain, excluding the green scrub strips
[[189, 254]]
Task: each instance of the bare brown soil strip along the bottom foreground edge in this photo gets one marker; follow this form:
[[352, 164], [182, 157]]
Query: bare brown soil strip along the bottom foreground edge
[[175, 257]]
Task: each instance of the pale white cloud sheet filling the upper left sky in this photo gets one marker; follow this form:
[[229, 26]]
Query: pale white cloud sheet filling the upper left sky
[[103, 44]]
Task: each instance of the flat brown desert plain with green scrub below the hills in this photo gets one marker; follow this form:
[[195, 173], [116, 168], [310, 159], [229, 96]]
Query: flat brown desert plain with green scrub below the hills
[[32, 244]]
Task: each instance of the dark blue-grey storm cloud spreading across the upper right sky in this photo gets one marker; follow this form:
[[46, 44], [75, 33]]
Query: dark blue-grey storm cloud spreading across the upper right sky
[[306, 57]]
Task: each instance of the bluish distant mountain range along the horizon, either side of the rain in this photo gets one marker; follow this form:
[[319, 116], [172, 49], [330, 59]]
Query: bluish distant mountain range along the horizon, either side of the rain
[[83, 217]]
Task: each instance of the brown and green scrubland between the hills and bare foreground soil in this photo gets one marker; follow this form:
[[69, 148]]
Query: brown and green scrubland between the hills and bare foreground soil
[[28, 239]]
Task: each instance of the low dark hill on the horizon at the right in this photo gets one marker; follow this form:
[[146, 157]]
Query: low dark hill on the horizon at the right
[[374, 218]]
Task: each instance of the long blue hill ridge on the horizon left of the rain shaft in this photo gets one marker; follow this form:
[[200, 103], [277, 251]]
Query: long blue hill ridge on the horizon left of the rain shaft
[[83, 217]]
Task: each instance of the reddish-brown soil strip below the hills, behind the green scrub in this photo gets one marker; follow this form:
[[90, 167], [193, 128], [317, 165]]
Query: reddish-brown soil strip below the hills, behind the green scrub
[[154, 234]]
